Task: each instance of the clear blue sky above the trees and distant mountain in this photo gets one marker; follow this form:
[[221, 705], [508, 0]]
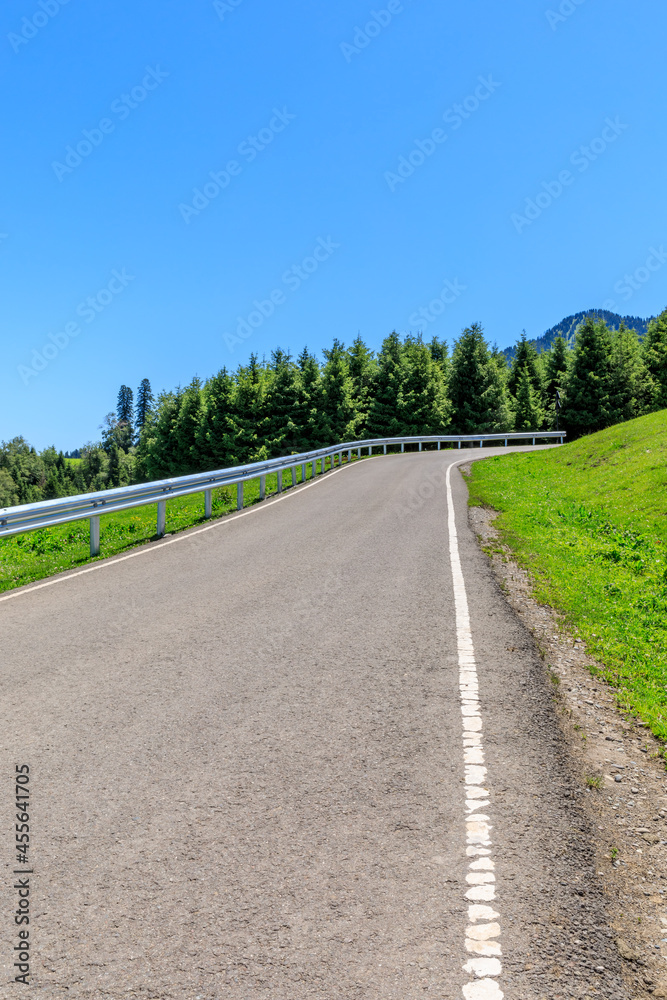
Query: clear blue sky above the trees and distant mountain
[[187, 183]]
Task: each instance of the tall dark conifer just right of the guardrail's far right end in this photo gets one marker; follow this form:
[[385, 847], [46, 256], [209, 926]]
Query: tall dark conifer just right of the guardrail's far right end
[[587, 405]]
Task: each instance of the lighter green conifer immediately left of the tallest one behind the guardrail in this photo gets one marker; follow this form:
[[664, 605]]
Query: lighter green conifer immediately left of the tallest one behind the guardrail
[[424, 406]]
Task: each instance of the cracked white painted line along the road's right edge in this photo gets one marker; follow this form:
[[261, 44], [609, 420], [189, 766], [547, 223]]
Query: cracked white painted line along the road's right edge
[[483, 932]]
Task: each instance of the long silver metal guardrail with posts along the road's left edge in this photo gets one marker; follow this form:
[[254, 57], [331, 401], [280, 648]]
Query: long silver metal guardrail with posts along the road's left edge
[[48, 513]]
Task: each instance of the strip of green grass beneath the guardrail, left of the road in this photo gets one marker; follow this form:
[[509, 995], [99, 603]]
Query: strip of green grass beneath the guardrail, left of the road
[[39, 554]]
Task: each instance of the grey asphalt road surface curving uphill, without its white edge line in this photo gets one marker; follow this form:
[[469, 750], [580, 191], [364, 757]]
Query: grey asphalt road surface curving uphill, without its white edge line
[[247, 763]]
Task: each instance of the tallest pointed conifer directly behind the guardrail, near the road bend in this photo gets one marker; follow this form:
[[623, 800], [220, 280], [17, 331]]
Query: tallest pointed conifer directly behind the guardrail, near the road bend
[[476, 387]]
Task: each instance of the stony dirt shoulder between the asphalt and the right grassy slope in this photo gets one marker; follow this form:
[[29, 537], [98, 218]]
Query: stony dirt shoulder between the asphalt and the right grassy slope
[[616, 777]]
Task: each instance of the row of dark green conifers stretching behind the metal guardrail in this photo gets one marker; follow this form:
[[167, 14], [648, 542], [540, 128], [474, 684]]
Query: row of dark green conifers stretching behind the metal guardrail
[[285, 405]]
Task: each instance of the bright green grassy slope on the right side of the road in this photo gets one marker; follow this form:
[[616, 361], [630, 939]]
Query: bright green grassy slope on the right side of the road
[[589, 523]]
